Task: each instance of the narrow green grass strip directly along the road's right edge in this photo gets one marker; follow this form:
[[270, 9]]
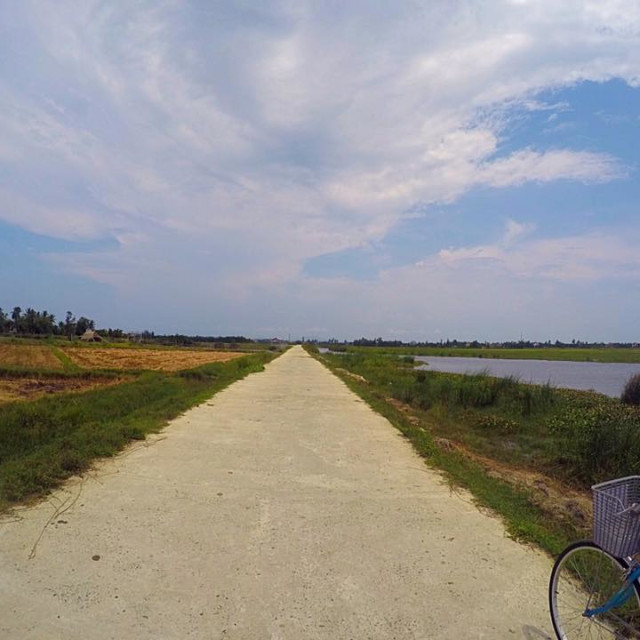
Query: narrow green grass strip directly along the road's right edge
[[523, 518]]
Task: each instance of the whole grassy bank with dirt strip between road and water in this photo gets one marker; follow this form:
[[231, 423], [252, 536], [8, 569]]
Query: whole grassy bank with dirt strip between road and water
[[528, 452]]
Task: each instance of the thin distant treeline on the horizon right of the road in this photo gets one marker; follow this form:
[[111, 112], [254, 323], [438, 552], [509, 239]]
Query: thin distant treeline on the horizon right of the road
[[475, 344]]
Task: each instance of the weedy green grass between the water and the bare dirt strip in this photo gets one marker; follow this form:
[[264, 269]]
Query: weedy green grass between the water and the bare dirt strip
[[574, 436]]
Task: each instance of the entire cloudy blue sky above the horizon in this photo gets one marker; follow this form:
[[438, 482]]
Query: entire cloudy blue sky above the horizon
[[411, 170]]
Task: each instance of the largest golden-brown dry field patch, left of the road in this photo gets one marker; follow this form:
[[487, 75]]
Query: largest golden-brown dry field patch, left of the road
[[149, 359]]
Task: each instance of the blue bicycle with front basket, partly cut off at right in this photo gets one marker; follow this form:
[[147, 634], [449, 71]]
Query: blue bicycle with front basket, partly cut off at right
[[594, 589]]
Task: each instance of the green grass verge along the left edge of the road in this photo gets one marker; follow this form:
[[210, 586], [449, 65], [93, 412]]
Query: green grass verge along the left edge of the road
[[47, 440]]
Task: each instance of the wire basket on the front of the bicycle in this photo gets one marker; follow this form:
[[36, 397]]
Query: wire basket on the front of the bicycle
[[616, 516]]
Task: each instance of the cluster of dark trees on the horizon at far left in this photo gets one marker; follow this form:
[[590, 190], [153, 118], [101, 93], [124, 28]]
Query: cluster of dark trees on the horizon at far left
[[43, 323]]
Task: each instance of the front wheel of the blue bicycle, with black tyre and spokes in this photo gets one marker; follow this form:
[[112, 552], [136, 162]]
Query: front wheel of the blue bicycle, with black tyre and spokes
[[586, 577]]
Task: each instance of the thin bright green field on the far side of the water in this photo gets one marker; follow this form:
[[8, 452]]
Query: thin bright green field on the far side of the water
[[605, 354]]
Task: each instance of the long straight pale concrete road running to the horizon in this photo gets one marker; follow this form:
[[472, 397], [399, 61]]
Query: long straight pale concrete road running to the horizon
[[283, 508]]
